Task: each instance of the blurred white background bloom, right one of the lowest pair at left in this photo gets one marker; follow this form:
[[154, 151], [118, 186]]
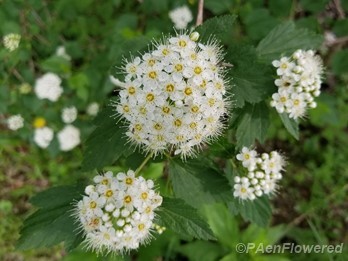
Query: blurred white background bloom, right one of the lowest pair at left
[[68, 138]]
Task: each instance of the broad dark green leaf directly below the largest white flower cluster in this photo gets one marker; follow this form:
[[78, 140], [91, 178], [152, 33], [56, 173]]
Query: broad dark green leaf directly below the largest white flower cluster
[[198, 183]]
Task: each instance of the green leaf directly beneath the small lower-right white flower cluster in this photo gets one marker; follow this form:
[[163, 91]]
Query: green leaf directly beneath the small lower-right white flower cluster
[[257, 211]]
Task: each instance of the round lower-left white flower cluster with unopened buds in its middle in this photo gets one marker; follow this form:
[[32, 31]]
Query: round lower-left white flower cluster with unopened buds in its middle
[[117, 213]]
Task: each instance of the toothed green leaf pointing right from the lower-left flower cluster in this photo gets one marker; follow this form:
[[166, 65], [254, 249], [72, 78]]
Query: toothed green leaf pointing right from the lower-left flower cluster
[[183, 219]]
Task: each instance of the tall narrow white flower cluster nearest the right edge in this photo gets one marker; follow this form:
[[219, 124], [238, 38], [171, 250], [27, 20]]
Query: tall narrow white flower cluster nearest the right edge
[[299, 80]]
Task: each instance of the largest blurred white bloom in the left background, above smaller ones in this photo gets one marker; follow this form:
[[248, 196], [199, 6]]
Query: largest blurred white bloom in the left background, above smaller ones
[[48, 87]]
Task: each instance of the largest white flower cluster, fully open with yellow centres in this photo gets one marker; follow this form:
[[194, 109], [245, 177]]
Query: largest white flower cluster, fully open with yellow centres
[[173, 96]]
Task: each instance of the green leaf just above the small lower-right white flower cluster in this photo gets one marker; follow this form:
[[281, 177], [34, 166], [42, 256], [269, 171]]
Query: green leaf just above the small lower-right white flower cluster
[[253, 125]]
